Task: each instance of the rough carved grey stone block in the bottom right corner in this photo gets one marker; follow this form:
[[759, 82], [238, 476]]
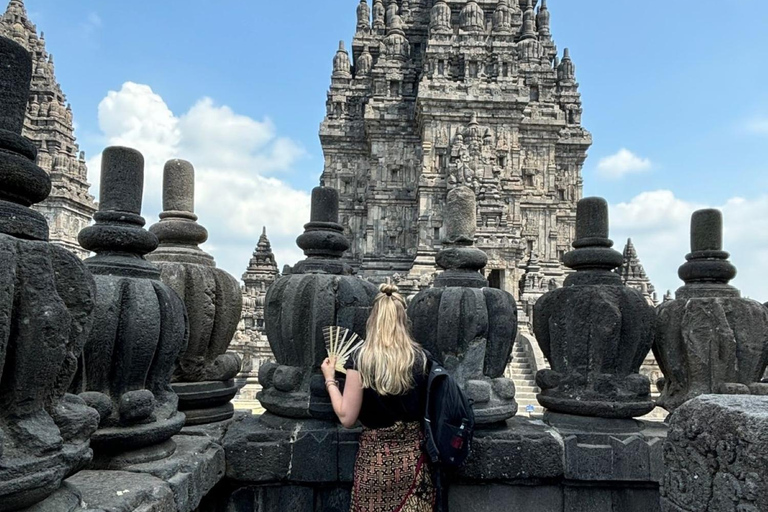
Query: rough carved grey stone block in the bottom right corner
[[716, 455]]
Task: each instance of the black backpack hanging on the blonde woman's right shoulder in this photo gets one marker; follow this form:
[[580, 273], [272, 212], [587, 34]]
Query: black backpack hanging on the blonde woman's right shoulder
[[449, 421]]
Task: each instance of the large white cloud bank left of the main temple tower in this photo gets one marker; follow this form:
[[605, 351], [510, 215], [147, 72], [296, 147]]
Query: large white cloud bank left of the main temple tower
[[236, 159]]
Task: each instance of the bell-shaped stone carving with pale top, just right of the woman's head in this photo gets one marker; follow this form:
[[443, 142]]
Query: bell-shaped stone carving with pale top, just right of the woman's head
[[465, 324]]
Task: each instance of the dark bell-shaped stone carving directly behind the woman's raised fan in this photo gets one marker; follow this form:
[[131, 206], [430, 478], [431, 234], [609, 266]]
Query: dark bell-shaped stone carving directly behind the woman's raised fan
[[320, 291]]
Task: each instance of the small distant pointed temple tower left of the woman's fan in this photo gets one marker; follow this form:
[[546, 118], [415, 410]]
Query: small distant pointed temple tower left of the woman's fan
[[250, 340]]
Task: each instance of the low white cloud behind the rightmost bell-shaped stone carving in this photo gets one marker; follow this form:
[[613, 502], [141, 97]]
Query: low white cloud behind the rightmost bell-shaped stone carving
[[659, 224]]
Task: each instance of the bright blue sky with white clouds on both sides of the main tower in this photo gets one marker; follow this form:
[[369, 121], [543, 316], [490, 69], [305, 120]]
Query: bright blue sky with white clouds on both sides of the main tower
[[678, 86]]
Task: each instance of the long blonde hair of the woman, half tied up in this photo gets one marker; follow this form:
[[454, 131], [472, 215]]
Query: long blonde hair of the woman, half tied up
[[387, 356]]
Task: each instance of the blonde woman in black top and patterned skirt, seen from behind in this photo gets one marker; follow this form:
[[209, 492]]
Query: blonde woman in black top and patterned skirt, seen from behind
[[386, 390]]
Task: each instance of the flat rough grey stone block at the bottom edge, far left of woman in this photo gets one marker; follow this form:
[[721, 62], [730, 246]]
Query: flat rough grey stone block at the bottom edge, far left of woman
[[122, 491]]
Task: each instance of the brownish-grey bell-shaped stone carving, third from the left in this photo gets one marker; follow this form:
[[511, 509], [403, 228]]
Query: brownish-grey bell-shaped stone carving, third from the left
[[205, 372]]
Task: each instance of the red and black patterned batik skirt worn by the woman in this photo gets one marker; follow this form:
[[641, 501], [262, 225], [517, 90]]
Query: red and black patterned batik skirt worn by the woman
[[391, 472]]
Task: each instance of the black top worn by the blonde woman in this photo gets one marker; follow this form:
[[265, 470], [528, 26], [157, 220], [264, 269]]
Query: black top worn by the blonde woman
[[380, 411]]
